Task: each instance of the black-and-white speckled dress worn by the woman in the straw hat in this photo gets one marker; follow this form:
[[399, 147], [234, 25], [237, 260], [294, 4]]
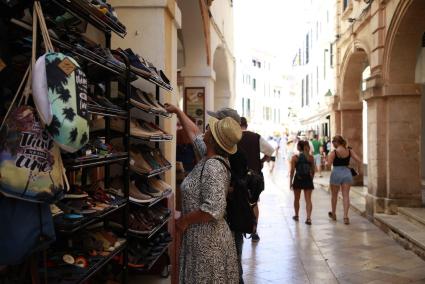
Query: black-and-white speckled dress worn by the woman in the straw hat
[[208, 253]]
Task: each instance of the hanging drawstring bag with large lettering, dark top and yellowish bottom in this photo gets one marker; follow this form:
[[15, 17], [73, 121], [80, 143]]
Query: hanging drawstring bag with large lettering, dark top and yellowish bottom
[[30, 162]]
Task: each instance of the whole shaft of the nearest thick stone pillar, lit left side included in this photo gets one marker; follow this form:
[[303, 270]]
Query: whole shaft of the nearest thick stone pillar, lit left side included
[[394, 149]]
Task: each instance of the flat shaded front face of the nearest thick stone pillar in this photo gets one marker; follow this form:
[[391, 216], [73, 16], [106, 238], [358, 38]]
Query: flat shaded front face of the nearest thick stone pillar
[[403, 128]]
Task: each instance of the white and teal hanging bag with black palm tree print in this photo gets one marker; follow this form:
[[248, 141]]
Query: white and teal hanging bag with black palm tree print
[[60, 94]]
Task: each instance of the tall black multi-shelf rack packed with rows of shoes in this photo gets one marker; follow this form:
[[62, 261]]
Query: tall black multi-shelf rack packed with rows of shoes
[[115, 216]]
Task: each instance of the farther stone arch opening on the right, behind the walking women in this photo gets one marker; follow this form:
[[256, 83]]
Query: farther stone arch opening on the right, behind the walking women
[[351, 101]]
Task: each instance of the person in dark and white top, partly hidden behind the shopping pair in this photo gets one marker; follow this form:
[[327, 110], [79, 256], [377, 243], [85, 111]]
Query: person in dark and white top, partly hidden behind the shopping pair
[[252, 145]]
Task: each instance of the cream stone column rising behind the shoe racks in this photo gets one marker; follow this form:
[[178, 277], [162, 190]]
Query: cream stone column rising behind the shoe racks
[[152, 33]]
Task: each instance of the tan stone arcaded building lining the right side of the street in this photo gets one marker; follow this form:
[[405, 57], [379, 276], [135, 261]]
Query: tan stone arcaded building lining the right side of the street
[[387, 37]]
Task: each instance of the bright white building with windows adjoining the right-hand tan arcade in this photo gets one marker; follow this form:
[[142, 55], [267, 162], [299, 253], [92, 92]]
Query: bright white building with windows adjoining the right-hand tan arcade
[[313, 67]]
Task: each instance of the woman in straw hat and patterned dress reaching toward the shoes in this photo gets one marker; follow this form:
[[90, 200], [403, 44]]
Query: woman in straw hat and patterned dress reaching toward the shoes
[[208, 253]]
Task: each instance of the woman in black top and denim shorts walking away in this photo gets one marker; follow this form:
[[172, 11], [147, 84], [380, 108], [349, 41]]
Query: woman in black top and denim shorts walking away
[[341, 175]]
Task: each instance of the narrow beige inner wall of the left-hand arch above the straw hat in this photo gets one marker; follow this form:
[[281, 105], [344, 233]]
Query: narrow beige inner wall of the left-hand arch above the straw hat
[[222, 86]]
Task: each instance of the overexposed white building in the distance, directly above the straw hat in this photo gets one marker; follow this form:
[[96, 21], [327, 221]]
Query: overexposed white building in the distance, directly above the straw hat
[[262, 92]]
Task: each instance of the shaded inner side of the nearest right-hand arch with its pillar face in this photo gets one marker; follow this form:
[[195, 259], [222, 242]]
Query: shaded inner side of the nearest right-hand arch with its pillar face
[[403, 104]]
